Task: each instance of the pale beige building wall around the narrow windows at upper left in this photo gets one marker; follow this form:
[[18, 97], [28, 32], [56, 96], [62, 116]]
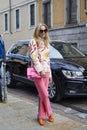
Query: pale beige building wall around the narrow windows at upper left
[[24, 32]]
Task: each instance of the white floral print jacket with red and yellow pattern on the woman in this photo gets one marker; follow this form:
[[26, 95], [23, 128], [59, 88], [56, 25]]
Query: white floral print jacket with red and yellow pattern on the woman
[[40, 56]]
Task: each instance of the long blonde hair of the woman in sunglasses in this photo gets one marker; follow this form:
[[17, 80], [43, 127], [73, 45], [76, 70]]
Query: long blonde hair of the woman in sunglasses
[[36, 35]]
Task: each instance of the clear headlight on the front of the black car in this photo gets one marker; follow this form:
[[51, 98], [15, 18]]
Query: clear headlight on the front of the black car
[[72, 74]]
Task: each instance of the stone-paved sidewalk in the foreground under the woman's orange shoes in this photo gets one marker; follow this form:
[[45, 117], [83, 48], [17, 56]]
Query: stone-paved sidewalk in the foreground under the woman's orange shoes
[[18, 114]]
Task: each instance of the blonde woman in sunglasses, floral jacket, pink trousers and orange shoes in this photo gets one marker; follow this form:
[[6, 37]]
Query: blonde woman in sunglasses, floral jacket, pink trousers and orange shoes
[[39, 53]]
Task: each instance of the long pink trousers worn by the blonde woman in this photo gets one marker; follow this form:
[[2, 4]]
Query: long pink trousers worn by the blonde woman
[[44, 103]]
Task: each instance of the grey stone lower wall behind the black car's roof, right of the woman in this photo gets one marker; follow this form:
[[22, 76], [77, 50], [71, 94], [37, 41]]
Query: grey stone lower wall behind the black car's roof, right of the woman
[[77, 34]]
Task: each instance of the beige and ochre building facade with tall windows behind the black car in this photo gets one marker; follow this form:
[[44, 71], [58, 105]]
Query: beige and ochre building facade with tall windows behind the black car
[[66, 19]]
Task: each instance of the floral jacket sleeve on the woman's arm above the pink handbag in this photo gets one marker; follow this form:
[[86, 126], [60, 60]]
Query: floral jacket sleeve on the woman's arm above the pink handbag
[[33, 51]]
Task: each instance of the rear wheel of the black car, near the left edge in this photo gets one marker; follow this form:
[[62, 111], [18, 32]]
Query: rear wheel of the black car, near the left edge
[[9, 79]]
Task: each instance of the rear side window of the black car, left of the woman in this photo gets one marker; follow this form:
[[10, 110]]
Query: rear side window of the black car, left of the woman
[[21, 49]]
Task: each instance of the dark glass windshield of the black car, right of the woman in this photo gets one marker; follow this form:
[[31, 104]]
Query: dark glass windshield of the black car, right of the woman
[[66, 50]]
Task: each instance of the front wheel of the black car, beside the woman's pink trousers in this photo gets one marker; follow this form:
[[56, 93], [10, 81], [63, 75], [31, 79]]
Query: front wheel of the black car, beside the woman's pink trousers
[[54, 93]]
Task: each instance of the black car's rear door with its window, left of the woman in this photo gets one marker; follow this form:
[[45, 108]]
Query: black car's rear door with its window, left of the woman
[[18, 60]]
